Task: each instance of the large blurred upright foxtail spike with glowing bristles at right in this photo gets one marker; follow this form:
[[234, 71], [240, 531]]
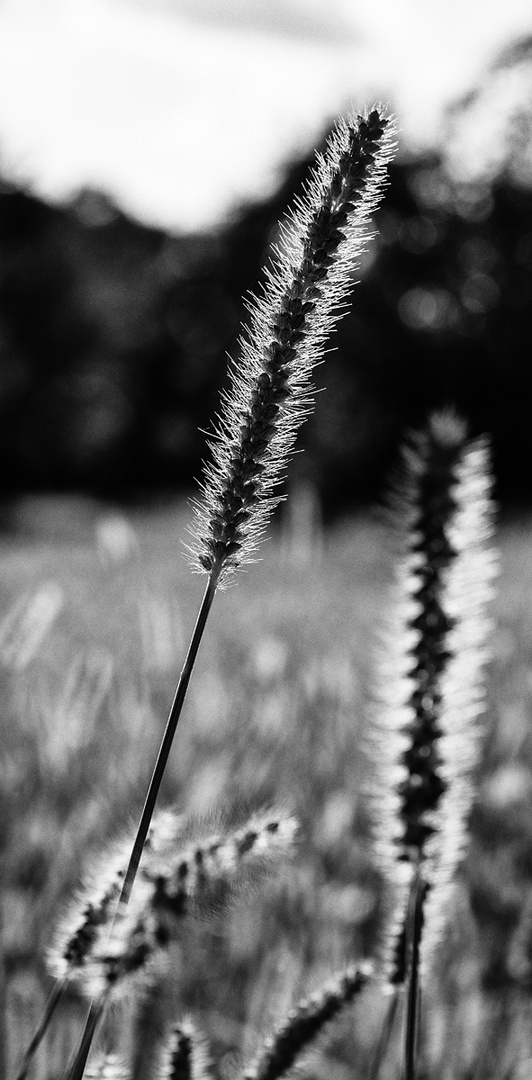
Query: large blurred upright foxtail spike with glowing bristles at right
[[424, 740]]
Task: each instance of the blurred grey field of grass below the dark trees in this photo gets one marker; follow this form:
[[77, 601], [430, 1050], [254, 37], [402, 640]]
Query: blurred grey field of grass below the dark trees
[[277, 713]]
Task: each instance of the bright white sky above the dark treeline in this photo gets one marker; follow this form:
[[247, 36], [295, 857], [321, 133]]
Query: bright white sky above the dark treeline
[[181, 109]]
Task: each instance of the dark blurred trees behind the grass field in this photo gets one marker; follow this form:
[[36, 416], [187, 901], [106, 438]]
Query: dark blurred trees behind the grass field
[[114, 336]]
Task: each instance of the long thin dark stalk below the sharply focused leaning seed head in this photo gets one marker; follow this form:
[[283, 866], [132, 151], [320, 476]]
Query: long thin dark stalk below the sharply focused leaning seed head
[[98, 1008]]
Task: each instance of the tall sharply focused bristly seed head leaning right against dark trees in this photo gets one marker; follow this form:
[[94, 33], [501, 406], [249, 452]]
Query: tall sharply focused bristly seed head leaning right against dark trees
[[306, 288]]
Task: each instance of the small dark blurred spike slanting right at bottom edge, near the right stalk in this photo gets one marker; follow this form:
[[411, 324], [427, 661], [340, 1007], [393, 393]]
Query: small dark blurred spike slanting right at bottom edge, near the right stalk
[[306, 1023]]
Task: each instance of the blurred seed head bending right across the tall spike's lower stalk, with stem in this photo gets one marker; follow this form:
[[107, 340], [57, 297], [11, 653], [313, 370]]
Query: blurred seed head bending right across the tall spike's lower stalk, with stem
[[133, 948]]
